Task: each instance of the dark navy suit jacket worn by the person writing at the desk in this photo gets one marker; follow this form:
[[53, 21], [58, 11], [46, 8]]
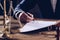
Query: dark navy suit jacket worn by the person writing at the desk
[[44, 6]]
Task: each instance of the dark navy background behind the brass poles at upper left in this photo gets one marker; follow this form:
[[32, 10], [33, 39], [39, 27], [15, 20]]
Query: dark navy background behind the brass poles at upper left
[[15, 2]]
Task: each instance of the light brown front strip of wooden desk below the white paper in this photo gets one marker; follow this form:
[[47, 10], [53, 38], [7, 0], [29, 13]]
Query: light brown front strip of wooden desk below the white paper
[[36, 36]]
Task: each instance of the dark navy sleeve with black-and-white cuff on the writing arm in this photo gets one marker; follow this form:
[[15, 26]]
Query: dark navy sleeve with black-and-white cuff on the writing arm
[[24, 6]]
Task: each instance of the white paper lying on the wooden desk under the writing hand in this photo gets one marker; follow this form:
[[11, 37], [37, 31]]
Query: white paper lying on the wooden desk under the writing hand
[[35, 25]]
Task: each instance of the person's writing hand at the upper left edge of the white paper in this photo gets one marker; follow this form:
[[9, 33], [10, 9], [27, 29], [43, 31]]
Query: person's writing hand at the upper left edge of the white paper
[[26, 17]]
